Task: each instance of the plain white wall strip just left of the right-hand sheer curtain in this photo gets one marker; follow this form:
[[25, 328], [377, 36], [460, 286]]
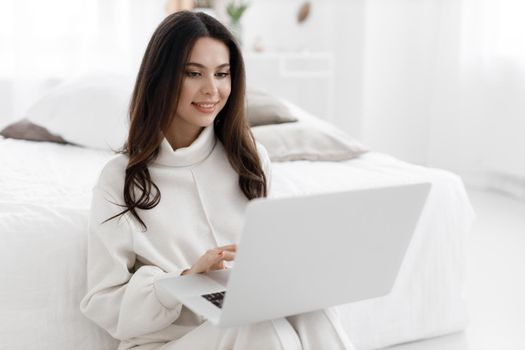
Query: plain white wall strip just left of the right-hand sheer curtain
[[399, 67]]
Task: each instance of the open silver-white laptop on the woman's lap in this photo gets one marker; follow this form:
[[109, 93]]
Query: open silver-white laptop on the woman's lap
[[307, 253]]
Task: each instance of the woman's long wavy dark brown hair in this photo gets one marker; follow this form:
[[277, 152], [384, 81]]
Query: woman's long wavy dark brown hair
[[154, 103]]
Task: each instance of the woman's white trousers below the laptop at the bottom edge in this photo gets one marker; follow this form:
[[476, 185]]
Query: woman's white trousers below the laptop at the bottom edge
[[310, 331]]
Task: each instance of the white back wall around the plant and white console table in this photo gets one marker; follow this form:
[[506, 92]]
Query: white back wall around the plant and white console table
[[335, 26]]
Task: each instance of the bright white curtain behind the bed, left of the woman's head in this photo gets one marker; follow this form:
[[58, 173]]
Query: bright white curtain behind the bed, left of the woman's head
[[43, 42]]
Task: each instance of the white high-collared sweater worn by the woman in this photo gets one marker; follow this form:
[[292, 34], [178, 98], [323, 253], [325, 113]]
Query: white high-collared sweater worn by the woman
[[201, 207]]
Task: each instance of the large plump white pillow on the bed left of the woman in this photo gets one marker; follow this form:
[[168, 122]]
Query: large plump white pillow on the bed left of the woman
[[90, 111]]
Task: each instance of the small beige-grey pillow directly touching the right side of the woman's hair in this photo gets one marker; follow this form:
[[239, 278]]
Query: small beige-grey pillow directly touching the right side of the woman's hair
[[263, 109]]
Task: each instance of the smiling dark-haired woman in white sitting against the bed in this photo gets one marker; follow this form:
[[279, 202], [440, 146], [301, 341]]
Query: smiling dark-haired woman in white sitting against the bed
[[172, 203]]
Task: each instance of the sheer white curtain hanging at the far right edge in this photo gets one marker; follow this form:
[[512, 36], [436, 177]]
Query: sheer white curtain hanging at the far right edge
[[479, 117]]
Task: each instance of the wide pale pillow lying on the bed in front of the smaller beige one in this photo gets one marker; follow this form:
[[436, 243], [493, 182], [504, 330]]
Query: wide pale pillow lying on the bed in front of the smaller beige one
[[308, 139]]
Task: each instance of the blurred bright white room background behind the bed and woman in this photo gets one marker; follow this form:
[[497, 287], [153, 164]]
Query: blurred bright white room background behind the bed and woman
[[433, 82]]
